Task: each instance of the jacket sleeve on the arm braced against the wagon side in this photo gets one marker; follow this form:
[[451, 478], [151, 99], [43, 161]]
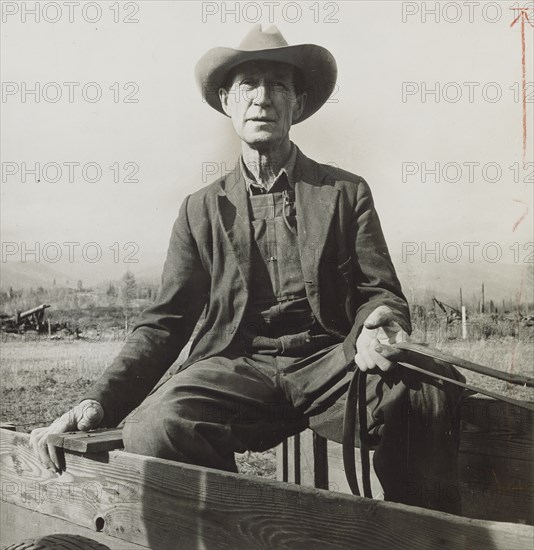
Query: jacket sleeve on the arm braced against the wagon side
[[162, 331]]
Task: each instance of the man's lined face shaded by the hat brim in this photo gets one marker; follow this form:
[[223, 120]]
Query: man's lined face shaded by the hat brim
[[262, 102]]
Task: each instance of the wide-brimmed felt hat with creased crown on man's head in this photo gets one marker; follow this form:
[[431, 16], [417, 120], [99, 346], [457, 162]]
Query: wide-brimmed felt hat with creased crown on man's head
[[316, 64]]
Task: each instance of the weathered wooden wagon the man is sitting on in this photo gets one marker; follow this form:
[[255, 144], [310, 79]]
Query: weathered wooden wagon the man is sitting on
[[125, 501]]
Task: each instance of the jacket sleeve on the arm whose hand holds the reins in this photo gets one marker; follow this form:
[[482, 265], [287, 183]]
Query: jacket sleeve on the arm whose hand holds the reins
[[377, 282]]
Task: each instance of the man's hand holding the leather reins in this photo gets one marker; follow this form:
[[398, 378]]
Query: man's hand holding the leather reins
[[379, 332]]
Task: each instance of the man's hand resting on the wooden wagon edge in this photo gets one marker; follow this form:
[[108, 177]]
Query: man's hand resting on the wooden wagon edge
[[85, 416]]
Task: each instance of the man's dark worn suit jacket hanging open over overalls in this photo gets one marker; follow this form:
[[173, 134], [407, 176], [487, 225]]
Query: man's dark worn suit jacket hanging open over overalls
[[345, 263]]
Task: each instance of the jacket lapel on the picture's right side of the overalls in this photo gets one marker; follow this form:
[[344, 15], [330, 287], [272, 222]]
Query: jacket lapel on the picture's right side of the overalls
[[316, 204]]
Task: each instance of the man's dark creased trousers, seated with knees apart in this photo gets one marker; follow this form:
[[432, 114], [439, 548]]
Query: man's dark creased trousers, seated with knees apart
[[222, 405]]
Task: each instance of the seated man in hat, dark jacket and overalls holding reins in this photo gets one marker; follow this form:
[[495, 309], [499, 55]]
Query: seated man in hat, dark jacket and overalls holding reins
[[288, 260]]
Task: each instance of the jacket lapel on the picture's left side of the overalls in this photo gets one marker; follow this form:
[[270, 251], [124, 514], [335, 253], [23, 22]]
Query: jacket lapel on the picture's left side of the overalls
[[233, 209]]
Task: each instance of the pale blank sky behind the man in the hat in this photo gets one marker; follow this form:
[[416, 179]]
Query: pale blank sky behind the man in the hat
[[151, 131]]
